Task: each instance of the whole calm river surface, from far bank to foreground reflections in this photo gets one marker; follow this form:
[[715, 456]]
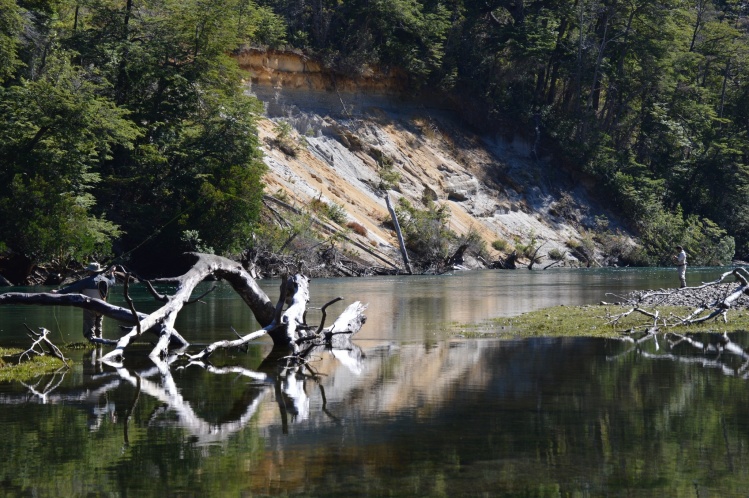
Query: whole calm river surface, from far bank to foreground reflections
[[409, 411]]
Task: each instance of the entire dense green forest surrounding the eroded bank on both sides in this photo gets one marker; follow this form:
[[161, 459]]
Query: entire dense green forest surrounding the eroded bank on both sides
[[124, 129]]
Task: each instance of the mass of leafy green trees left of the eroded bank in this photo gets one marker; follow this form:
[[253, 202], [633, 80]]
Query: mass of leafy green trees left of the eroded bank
[[128, 122]]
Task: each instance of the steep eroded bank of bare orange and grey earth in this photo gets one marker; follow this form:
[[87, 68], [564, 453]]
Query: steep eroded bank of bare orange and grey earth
[[346, 130]]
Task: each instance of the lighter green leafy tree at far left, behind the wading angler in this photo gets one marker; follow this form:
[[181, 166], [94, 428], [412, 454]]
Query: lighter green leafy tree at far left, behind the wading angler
[[56, 131]]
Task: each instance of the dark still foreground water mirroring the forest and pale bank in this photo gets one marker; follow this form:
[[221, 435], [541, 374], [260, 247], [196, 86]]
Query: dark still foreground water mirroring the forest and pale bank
[[466, 417]]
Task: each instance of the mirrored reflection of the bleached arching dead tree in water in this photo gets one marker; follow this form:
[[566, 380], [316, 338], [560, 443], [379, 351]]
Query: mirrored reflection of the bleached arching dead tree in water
[[280, 375]]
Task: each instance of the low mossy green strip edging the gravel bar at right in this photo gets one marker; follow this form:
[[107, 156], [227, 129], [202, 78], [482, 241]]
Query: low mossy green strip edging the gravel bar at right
[[594, 321]]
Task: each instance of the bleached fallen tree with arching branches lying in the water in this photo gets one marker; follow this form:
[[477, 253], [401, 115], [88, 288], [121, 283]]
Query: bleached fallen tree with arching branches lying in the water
[[284, 322]]
